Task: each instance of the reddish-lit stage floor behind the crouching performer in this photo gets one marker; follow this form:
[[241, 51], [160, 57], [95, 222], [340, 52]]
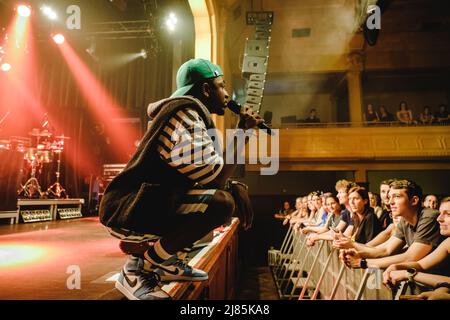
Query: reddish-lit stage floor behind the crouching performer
[[41, 260]]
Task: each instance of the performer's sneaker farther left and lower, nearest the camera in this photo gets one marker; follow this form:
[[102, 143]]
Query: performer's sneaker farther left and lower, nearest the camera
[[136, 283]]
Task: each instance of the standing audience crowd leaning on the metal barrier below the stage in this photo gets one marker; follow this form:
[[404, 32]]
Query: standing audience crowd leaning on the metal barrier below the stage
[[399, 231]]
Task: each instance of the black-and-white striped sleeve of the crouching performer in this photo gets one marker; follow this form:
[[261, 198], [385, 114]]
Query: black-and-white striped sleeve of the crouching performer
[[185, 145]]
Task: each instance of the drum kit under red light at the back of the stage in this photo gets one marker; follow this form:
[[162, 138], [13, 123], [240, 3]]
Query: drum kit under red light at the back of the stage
[[36, 154]]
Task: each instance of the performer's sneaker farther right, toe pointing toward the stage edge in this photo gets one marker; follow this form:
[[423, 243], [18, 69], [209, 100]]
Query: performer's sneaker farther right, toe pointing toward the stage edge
[[176, 269]]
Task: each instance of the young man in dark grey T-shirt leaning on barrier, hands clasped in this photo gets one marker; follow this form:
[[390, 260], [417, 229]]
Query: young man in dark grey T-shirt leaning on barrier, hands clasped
[[418, 229]]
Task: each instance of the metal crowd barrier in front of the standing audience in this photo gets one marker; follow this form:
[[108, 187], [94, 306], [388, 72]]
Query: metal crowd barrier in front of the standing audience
[[317, 273]]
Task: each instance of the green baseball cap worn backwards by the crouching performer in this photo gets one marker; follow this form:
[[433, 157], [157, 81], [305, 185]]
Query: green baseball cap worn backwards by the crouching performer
[[193, 71]]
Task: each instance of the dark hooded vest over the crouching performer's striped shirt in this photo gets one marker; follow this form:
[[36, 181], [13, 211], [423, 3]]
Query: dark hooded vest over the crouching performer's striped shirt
[[148, 187]]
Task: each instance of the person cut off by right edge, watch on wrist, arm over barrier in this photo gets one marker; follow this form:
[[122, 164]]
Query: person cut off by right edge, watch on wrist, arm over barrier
[[437, 262]]
